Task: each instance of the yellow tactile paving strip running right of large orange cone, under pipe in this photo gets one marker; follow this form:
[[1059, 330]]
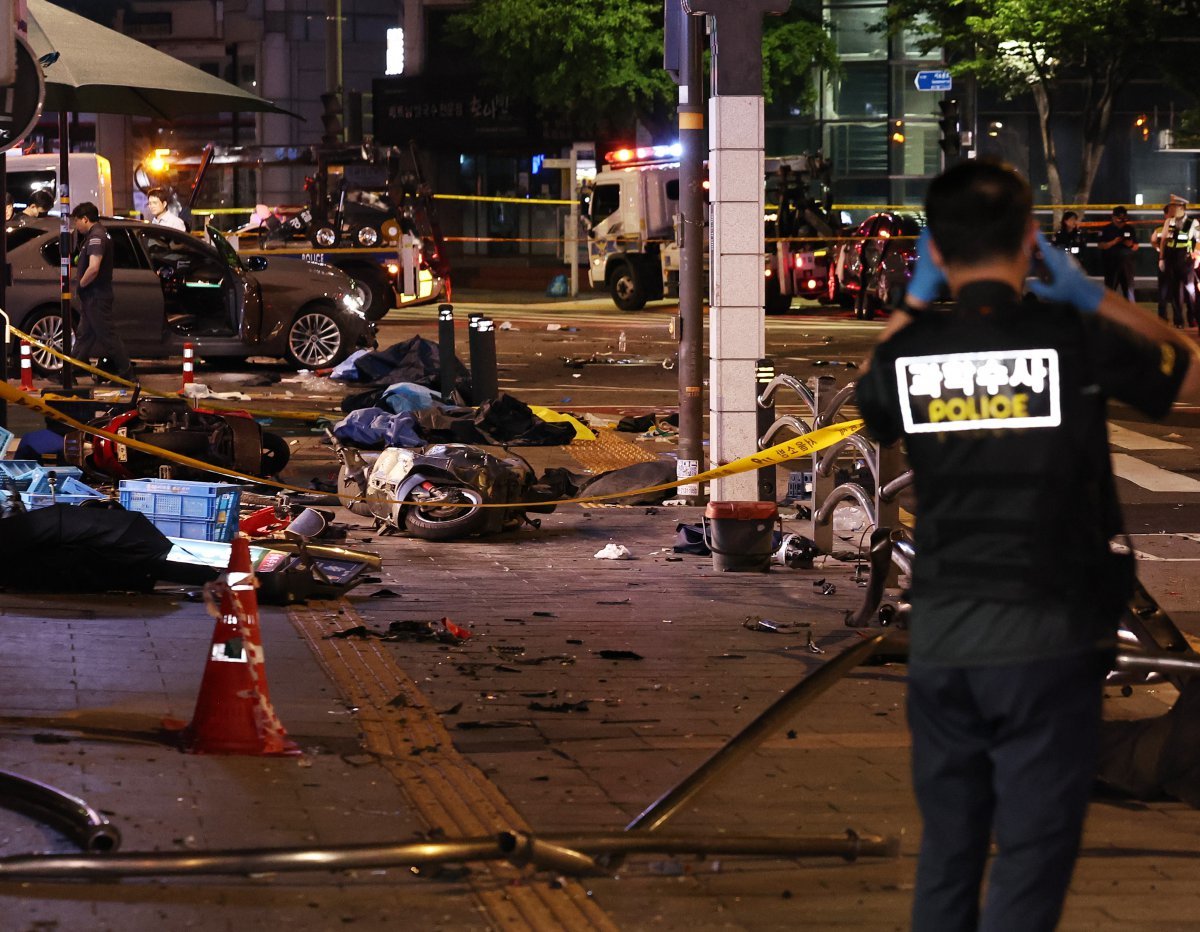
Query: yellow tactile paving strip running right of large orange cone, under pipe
[[448, 791]]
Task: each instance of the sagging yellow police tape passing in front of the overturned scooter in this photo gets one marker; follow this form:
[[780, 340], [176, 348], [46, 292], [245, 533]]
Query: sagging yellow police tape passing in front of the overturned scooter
[[794, 449]]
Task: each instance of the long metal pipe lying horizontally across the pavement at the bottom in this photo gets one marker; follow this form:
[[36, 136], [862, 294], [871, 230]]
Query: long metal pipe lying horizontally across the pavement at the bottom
[[562, 853]]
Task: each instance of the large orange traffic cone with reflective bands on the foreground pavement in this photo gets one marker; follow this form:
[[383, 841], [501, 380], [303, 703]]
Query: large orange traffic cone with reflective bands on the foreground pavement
[[233, 712]]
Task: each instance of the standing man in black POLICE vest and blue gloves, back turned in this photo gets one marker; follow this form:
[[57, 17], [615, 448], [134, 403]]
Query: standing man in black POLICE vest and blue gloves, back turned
[[1018, 581]]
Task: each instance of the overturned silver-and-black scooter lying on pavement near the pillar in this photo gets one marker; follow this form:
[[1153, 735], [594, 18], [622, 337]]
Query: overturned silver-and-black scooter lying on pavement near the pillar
[[443, 492]]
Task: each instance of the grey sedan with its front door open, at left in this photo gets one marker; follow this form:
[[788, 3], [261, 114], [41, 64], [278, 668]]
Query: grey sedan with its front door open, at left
[[172, 288]]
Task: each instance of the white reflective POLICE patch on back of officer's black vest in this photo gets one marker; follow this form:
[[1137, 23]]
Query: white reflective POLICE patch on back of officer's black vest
[[975, 392]]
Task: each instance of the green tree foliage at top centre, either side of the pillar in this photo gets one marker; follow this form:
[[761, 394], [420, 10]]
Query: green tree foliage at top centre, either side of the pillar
[[599, 65]]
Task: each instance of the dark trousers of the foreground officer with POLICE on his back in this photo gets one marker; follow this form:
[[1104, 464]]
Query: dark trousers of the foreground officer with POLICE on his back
[[1009, 751]]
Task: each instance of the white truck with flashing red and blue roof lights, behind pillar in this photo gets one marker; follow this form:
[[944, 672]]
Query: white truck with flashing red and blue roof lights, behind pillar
[[633, 214]]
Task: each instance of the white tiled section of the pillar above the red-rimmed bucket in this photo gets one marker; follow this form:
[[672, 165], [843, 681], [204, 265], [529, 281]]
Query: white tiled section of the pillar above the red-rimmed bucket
[[737, 336]]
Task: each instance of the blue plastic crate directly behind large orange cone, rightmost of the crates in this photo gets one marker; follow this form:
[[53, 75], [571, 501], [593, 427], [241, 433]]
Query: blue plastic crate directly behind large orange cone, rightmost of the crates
[[199, 512]]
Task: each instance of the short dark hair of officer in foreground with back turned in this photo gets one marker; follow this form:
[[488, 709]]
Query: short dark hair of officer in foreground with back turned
[[979, 211]]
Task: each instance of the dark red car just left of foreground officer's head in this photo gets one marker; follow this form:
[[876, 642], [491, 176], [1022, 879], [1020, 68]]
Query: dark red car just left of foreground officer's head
[[872, 269]]
